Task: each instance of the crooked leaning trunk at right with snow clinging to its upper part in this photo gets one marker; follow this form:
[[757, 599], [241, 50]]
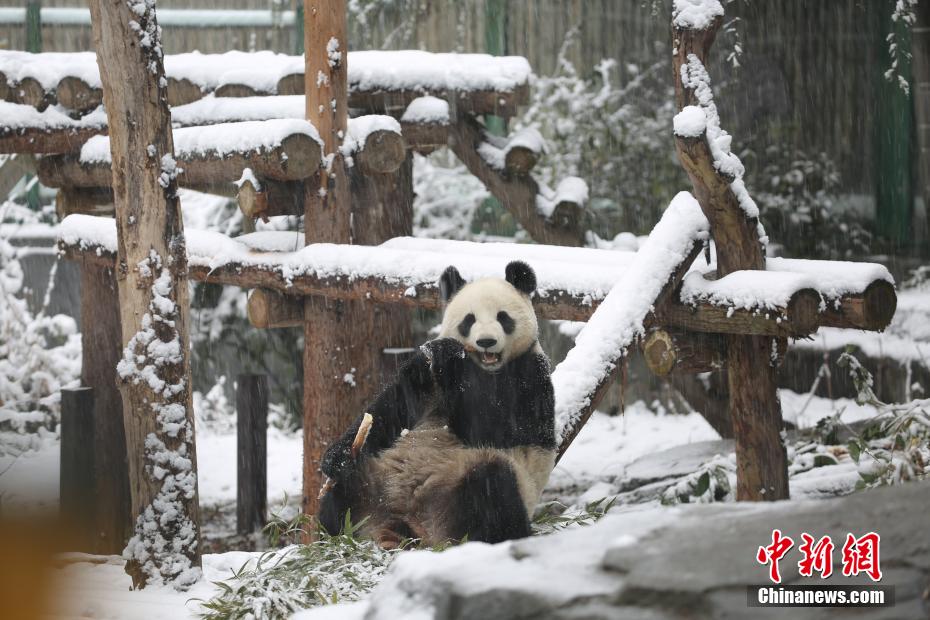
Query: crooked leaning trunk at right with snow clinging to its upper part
[[716, 175]]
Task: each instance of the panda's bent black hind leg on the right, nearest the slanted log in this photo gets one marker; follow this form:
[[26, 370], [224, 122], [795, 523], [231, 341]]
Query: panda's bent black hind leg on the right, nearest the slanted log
[[486, 504]]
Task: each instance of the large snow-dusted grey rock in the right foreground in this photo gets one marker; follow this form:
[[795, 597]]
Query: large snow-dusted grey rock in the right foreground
[[655, 562]]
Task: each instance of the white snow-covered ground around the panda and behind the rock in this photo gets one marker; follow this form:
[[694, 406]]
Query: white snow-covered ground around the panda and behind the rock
[[607, 452]]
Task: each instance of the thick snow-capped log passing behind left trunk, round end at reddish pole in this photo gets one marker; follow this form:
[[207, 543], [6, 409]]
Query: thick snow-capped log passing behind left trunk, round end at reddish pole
[[285, 150]]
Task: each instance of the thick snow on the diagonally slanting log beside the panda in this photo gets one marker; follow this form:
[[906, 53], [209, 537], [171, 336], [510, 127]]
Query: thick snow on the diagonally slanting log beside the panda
[[618, 321]]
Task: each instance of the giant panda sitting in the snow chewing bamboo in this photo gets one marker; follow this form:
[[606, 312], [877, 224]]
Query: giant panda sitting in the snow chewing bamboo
[[462, 443]]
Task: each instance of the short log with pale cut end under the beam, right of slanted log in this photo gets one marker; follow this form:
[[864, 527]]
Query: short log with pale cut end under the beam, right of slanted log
[[666, 352]]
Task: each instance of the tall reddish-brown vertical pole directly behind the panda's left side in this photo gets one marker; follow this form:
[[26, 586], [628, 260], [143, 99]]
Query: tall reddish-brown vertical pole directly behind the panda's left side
[[330, 339]]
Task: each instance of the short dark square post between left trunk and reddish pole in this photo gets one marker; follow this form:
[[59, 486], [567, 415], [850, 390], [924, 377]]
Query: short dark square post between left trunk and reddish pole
[[251, 451]]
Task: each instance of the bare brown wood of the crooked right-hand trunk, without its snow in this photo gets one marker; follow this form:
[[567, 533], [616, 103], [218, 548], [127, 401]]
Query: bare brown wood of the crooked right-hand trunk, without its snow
[[762, 471]]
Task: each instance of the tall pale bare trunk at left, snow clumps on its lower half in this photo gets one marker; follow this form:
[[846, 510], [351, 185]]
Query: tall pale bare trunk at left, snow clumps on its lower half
[[153, 295]]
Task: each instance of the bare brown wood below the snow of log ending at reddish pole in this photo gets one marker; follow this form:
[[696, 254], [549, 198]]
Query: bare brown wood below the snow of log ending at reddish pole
[[296, 158]]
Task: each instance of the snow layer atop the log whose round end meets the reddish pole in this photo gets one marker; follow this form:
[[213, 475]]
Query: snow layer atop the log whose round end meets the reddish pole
[[223, 139]]
